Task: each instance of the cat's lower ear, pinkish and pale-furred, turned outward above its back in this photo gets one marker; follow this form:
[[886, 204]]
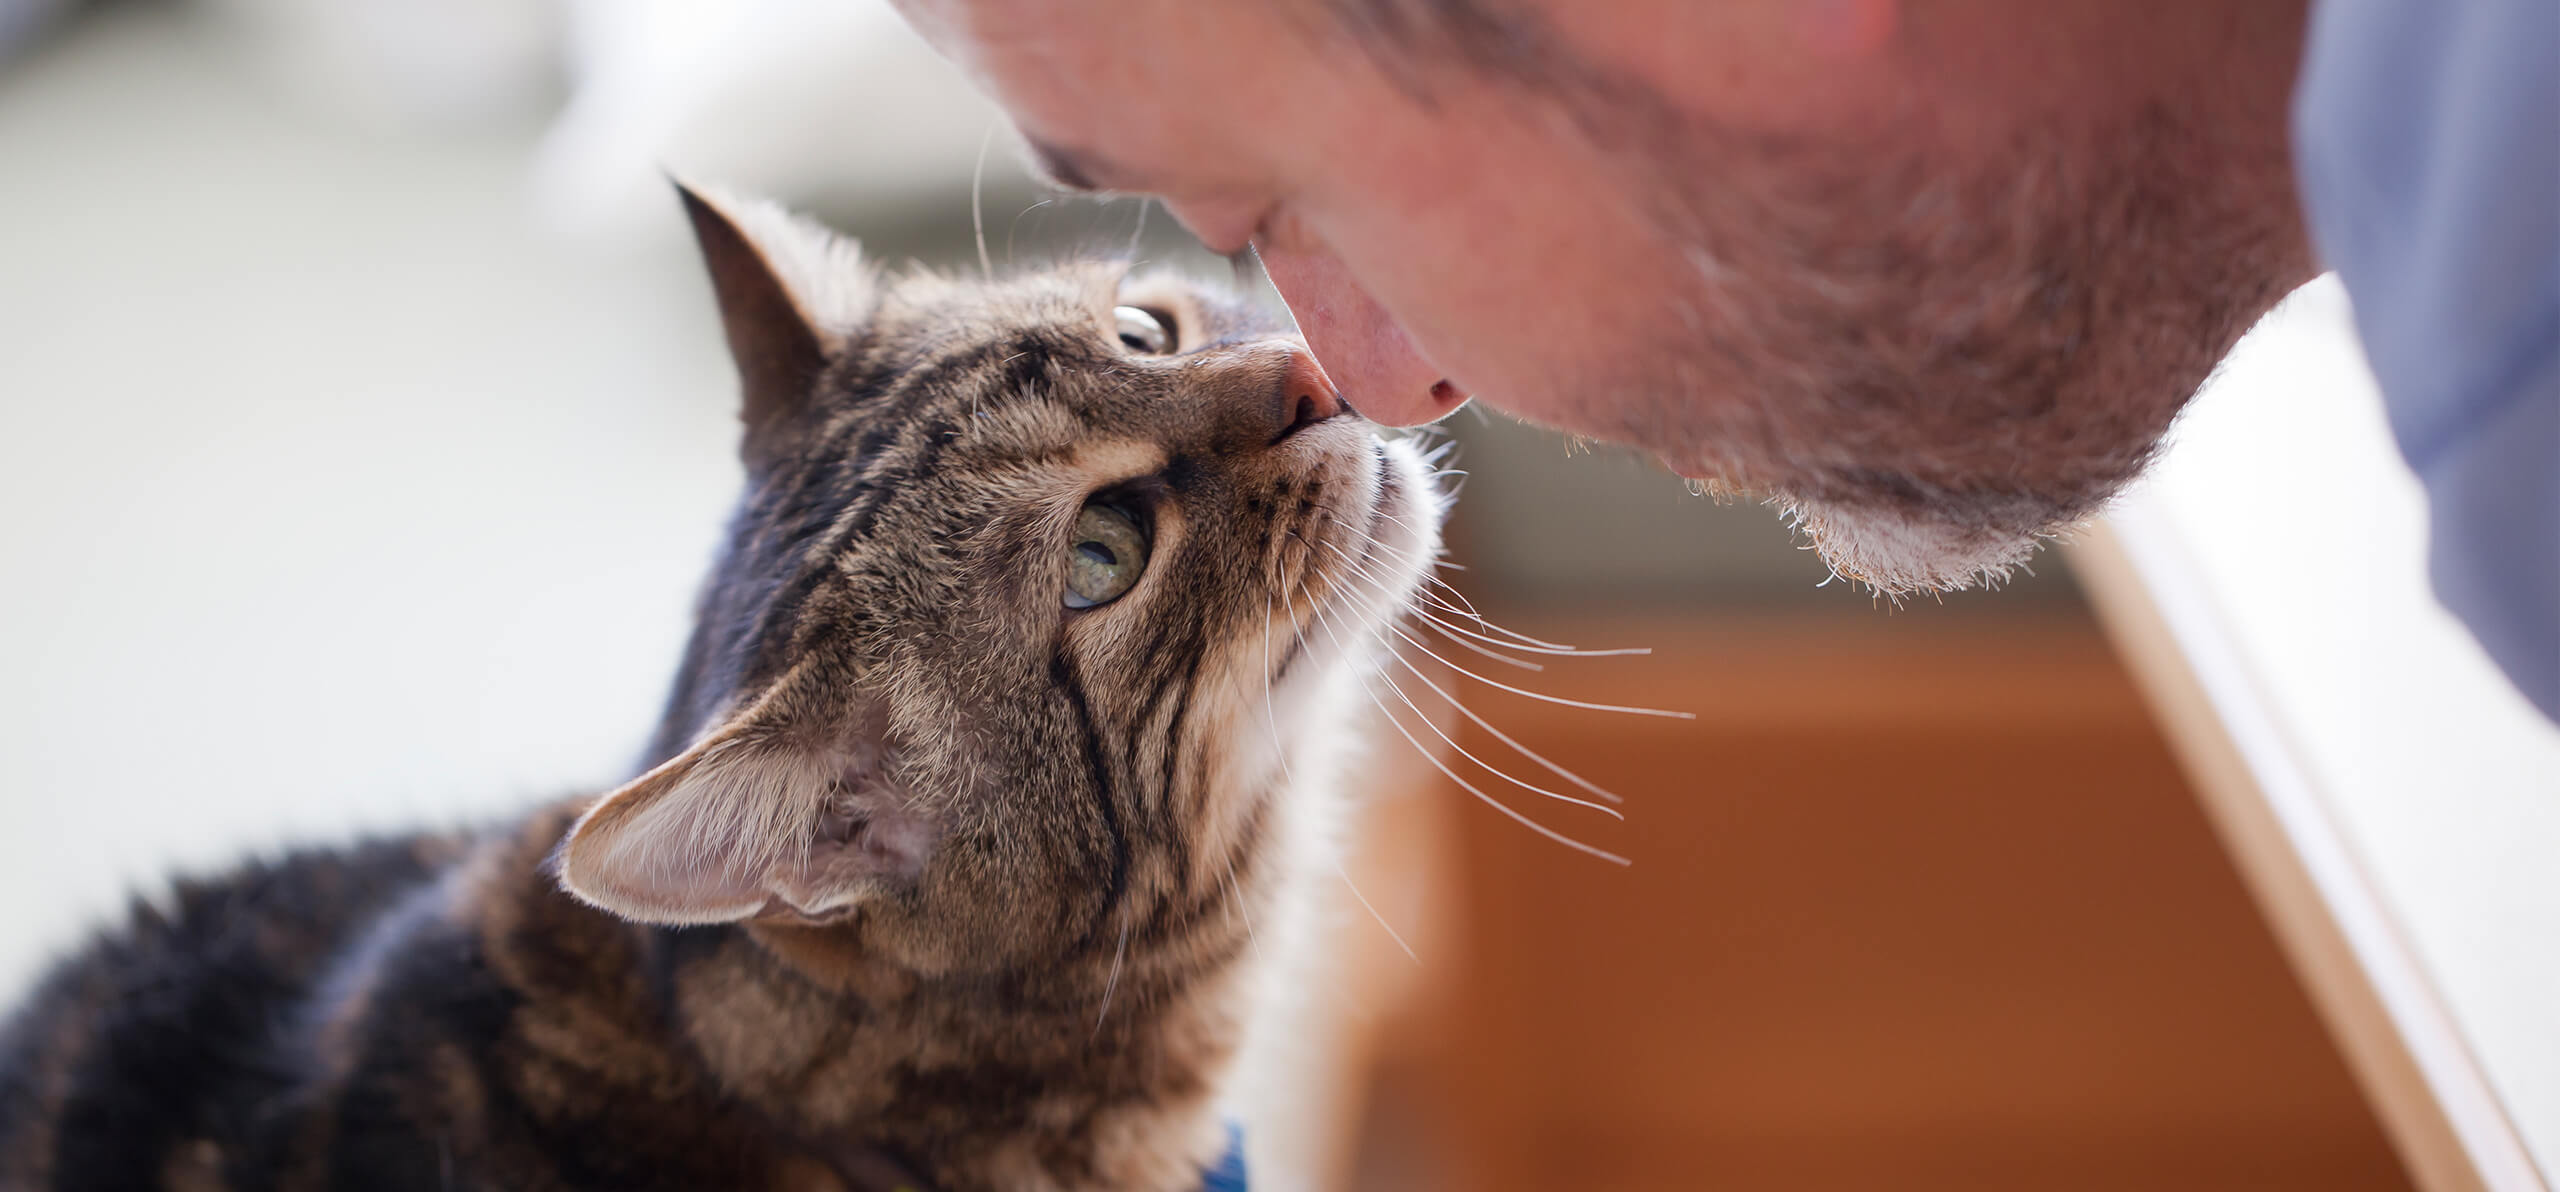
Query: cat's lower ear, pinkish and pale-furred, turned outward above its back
[[787, 810]]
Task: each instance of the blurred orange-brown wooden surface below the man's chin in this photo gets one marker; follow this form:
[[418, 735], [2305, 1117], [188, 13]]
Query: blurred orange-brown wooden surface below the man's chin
[[1916, 904]]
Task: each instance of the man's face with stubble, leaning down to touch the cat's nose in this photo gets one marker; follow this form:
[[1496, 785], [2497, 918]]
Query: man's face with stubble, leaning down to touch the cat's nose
[[1724, 234]]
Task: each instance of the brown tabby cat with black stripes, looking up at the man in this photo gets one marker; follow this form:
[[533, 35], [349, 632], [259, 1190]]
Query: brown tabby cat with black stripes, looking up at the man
[[1010, 710]]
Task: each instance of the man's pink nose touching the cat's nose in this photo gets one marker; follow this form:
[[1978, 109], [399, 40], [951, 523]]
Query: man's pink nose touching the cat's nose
[[1361, 347]]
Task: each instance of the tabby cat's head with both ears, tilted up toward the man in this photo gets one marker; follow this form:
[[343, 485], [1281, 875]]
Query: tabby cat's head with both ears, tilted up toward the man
[[1041, 592]]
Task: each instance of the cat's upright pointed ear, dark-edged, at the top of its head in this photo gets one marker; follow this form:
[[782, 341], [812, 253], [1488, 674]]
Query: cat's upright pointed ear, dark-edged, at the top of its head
[[790, 298]]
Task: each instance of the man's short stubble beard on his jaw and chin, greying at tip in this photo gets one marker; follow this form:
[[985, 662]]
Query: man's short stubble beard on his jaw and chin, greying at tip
[[1929, 372]]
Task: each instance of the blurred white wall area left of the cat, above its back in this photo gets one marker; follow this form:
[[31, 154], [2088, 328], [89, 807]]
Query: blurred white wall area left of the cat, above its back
[[334, 492]]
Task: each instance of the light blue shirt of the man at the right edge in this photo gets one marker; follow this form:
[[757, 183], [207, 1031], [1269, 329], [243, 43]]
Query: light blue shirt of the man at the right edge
[[2428, 152]]
